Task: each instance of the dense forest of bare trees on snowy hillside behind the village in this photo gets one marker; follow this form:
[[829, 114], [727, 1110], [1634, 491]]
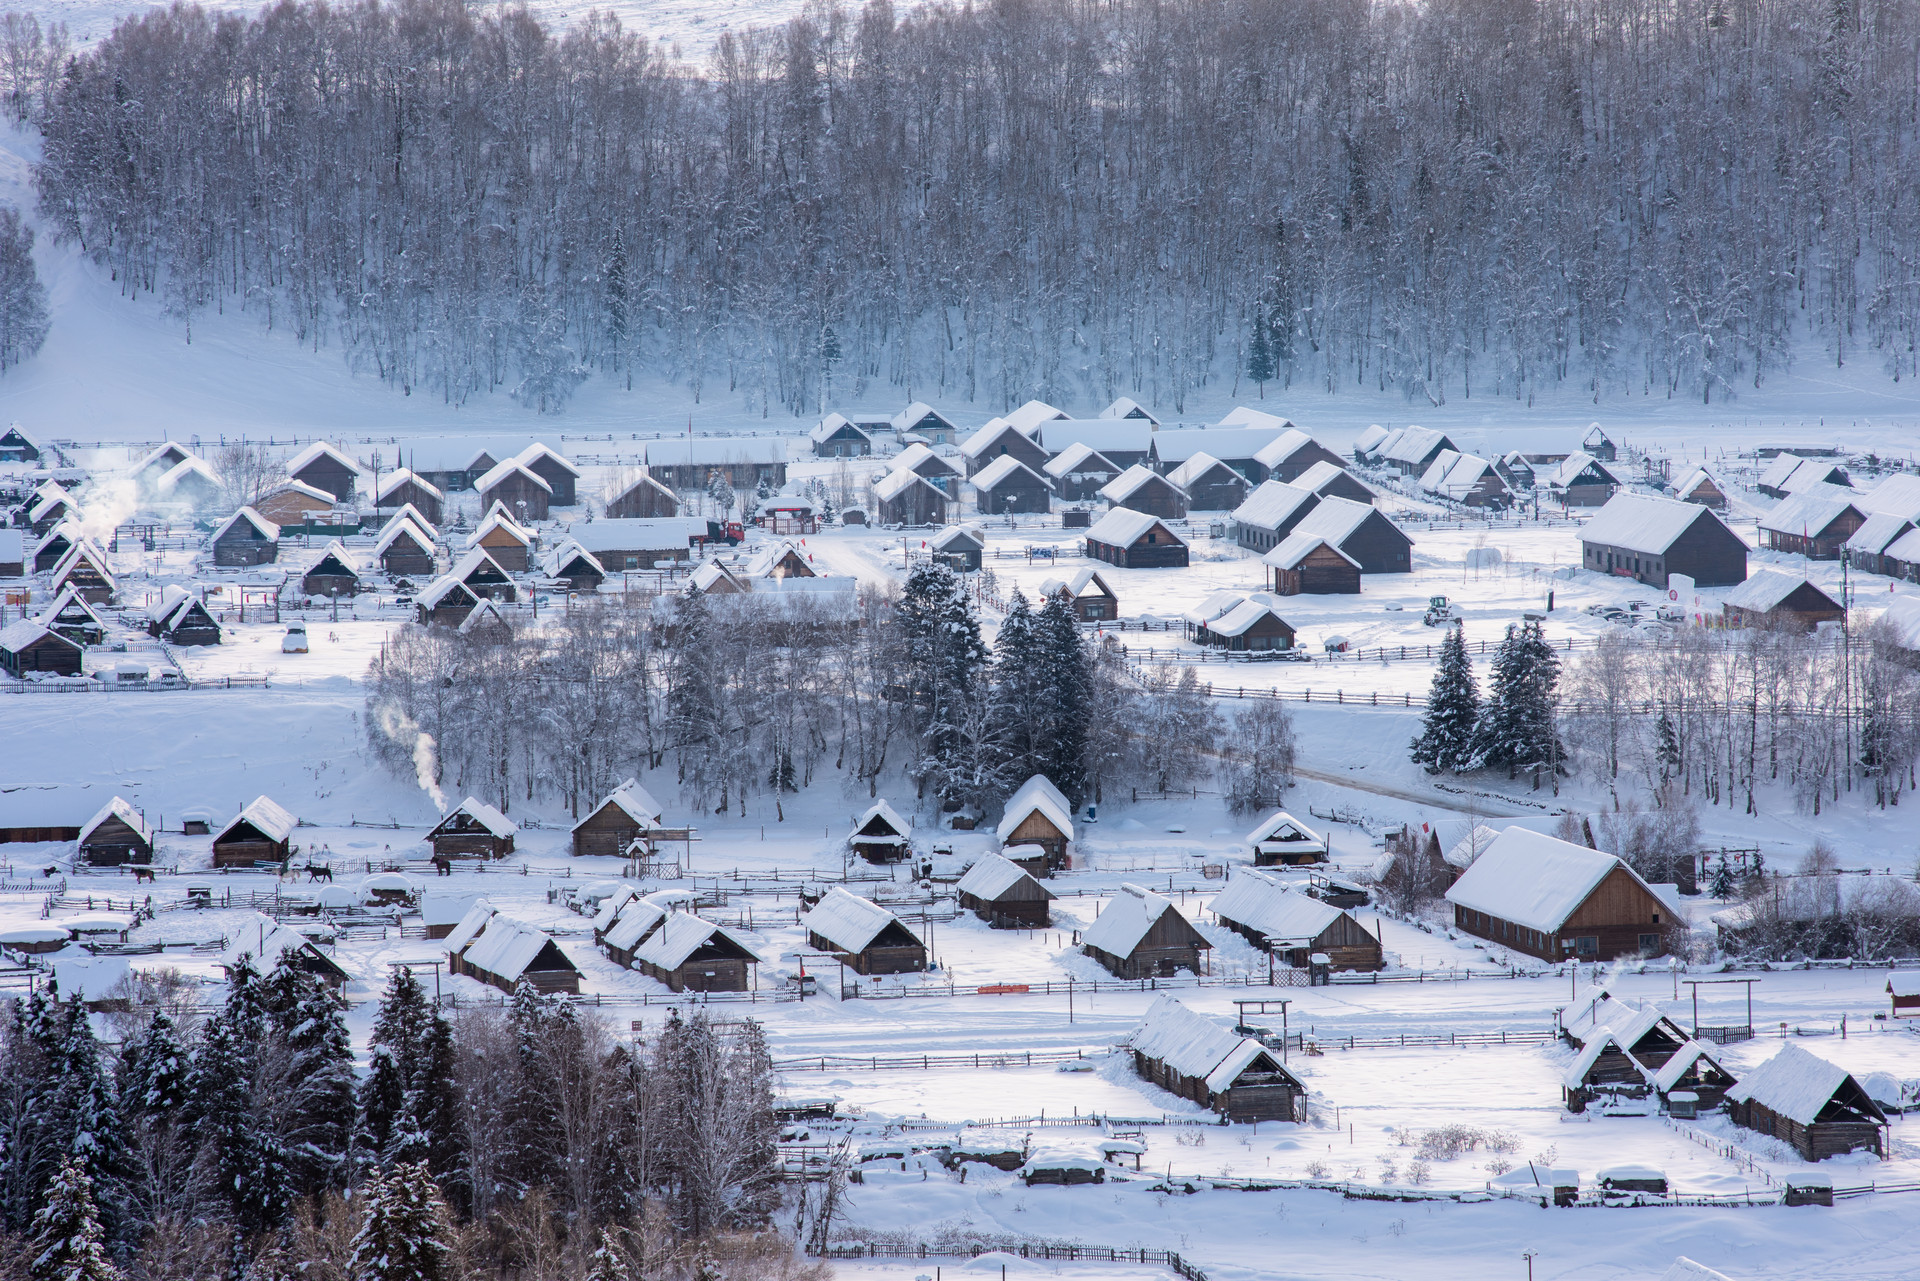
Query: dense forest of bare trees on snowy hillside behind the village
[[1042, 199]]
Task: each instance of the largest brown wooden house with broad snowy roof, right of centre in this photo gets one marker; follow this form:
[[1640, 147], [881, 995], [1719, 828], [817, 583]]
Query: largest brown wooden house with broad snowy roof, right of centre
[[1552, 900]]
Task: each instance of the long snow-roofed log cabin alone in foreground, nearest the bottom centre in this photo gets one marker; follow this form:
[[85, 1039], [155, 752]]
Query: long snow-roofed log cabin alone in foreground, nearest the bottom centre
[[1222, 1071]]
